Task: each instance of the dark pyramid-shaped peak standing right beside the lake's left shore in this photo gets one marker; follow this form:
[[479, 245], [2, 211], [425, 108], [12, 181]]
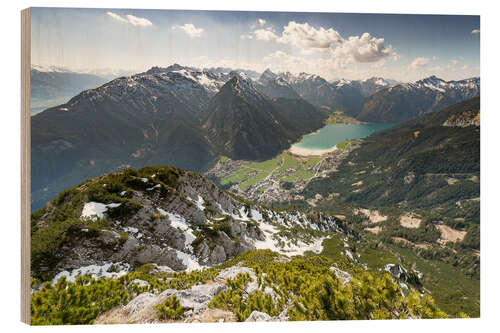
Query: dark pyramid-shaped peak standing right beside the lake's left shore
[[244, 123]]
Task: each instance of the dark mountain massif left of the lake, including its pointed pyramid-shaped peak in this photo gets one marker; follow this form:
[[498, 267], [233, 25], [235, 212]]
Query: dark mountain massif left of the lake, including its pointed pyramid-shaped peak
[[172, 115]]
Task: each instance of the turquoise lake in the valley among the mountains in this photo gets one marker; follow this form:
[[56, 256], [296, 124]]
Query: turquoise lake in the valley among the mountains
[[330, 135]]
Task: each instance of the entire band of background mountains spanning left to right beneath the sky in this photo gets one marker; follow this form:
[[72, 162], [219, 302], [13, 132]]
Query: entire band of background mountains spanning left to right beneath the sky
[[186, 117]]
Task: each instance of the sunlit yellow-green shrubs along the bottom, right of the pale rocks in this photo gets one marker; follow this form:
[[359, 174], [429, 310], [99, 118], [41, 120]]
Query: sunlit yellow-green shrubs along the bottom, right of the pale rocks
[[315, 293]]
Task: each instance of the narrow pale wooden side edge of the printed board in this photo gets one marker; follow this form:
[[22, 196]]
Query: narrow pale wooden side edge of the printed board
[[25, 165]]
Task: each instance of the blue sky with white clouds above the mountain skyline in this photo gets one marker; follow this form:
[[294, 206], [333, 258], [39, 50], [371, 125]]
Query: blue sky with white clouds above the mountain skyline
[[333, 45]]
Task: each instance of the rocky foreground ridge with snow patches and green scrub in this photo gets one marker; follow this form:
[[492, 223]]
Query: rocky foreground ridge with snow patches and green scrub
[[163, 216]]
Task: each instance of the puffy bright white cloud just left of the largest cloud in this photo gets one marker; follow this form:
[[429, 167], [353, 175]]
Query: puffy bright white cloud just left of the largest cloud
[[303, 35]]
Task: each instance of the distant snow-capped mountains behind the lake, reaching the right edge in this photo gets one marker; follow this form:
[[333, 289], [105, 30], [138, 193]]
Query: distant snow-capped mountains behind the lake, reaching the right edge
[[375, 99]]
